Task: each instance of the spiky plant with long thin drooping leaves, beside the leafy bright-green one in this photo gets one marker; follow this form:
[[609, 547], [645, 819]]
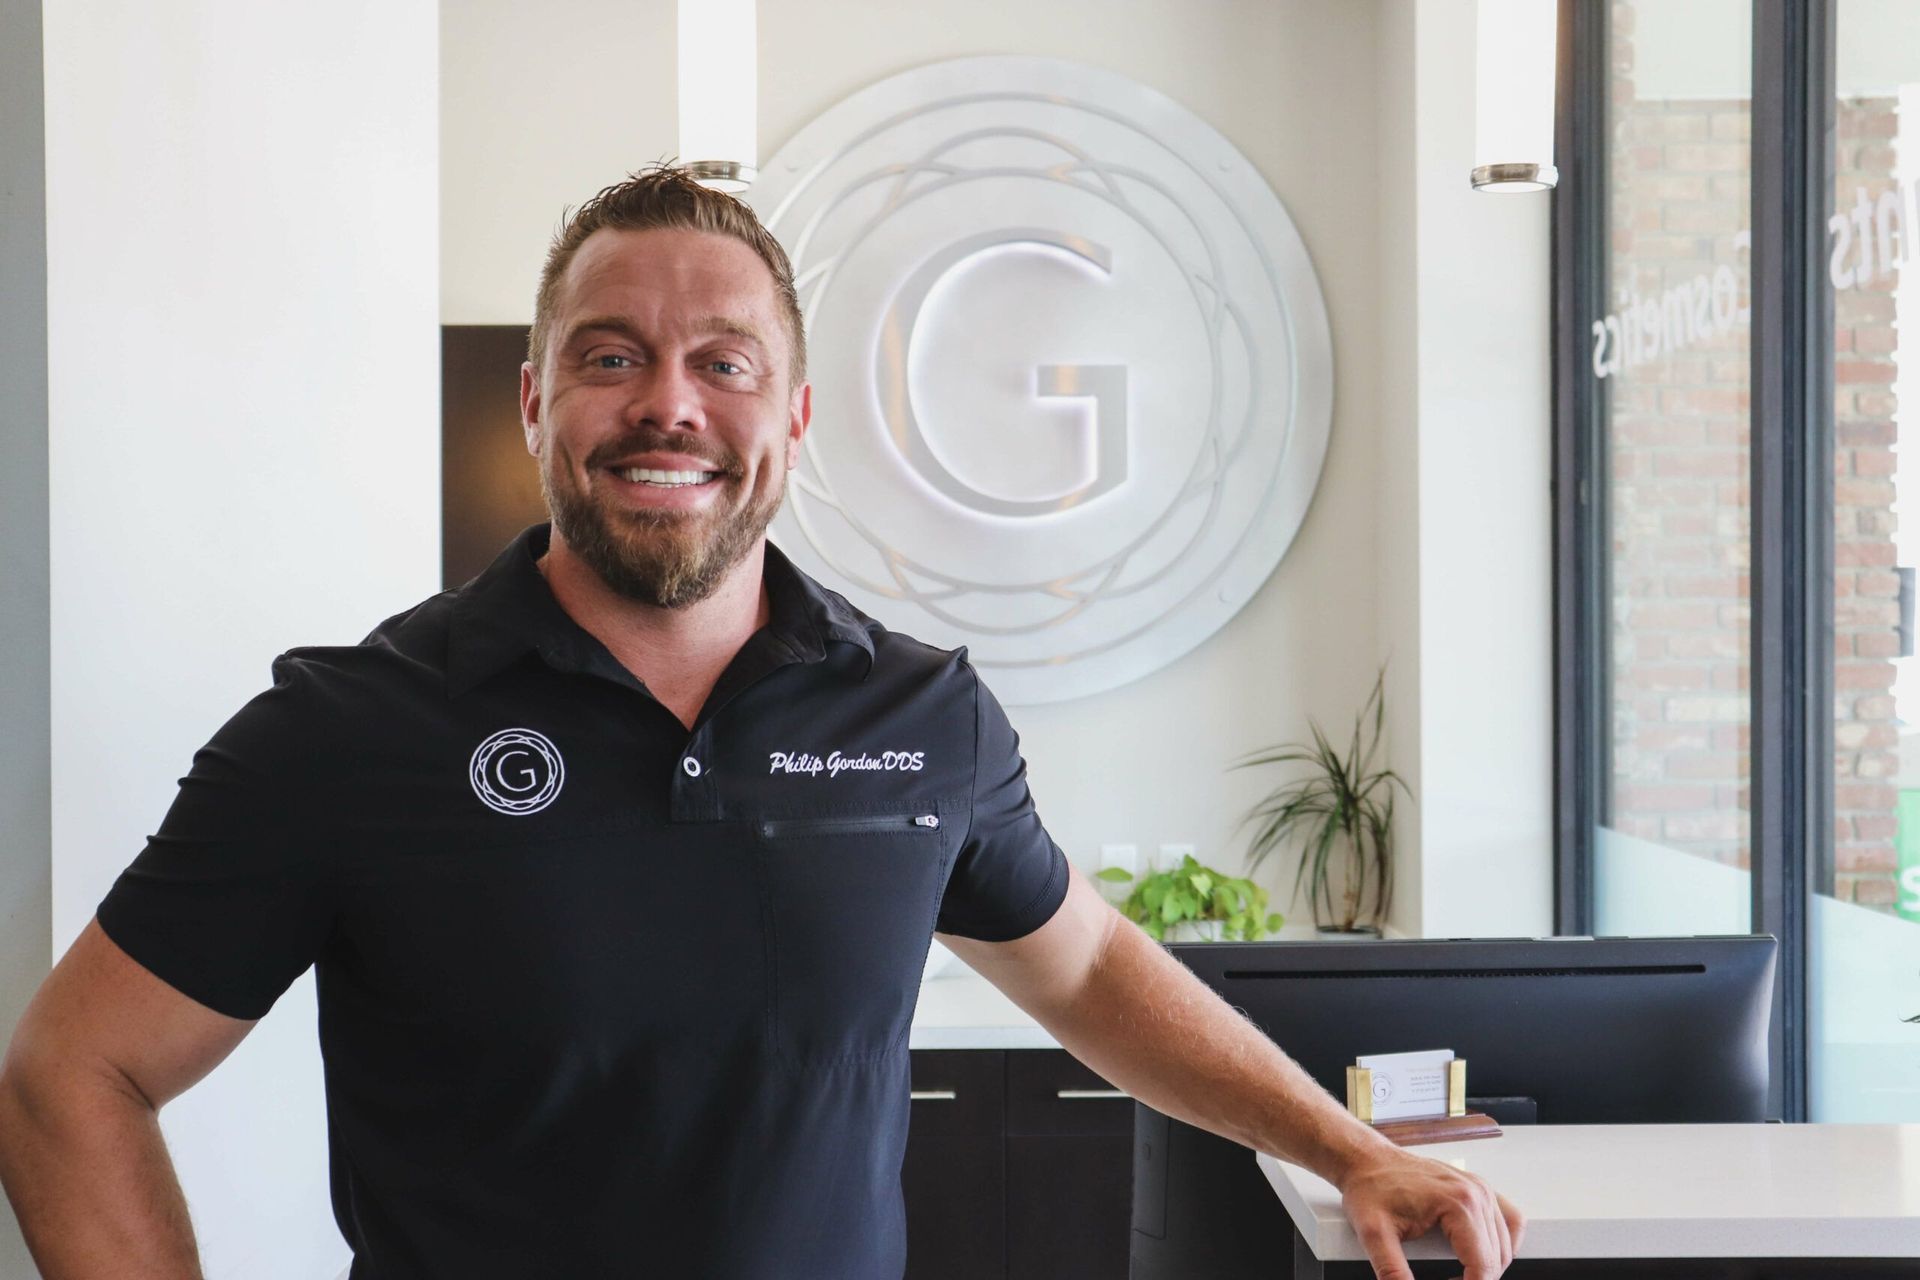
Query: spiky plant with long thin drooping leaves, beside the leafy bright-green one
[[1343, 818]]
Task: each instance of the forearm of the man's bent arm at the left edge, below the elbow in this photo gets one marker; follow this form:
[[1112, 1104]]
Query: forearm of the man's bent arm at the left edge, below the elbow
[[87, 1173]]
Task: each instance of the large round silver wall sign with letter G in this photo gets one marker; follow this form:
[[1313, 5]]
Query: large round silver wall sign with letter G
[[1072, 371]]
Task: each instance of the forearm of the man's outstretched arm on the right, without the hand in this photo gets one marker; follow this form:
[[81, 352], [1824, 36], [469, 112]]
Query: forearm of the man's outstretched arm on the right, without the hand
[[1157, 1031]]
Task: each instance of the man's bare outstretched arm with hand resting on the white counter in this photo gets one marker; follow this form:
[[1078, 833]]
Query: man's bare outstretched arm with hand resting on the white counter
[[1124, 1007]]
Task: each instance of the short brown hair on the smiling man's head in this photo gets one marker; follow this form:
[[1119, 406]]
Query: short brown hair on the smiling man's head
[[667, 197]]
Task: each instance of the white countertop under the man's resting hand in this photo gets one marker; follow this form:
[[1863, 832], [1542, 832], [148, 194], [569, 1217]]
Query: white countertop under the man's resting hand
[[1668, 1191]]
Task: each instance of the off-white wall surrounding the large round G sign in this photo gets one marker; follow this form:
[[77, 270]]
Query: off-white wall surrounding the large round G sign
[[539, 120]]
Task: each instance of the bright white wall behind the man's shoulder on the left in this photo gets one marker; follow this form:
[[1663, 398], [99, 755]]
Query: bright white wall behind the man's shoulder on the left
[[243, 381]]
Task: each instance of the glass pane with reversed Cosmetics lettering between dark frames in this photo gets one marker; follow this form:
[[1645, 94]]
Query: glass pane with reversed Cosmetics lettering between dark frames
[[1671, 354]]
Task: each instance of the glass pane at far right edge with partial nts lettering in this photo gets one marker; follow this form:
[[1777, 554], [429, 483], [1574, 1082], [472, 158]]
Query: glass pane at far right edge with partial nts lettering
[[1865, 939]]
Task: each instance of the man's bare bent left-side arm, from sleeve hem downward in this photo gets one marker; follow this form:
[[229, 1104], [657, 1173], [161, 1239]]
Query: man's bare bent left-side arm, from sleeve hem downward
[[99, 1051]]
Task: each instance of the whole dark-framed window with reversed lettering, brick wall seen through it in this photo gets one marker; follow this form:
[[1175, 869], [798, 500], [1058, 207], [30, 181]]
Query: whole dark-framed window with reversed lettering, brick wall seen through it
[[1739, 705]]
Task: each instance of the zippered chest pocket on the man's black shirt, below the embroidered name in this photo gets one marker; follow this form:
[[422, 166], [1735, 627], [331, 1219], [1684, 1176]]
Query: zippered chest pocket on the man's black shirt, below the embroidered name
[[850, 903]]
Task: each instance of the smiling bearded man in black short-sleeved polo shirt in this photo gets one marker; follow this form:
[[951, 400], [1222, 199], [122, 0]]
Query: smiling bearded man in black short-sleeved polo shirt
[[615, 968]]
